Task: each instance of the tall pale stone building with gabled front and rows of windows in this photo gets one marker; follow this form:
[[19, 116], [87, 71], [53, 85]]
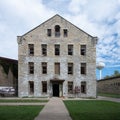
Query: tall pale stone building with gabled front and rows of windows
[[57, 59]]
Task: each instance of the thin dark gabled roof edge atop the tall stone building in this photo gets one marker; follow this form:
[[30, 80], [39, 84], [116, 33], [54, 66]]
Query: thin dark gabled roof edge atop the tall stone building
[[60, 17]]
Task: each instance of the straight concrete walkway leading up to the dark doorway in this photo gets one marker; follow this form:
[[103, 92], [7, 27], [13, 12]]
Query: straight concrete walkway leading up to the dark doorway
[[54, 110]]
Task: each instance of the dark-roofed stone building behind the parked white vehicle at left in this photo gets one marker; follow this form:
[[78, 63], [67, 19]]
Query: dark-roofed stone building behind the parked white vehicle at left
[[9, 73]]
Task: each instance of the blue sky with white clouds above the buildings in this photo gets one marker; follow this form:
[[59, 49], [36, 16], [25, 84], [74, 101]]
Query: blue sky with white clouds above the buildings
[[98, 18]]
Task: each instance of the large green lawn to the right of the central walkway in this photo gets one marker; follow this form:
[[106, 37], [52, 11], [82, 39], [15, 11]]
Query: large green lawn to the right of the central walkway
[[93, 110]]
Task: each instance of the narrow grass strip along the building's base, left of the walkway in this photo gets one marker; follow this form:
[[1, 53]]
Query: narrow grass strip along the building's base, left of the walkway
[[21, 100]]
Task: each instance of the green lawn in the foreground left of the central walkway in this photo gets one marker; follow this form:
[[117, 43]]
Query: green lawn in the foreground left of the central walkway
[[19, 112]]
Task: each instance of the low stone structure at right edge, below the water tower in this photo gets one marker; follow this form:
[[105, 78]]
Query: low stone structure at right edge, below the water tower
[[110, 85]]
